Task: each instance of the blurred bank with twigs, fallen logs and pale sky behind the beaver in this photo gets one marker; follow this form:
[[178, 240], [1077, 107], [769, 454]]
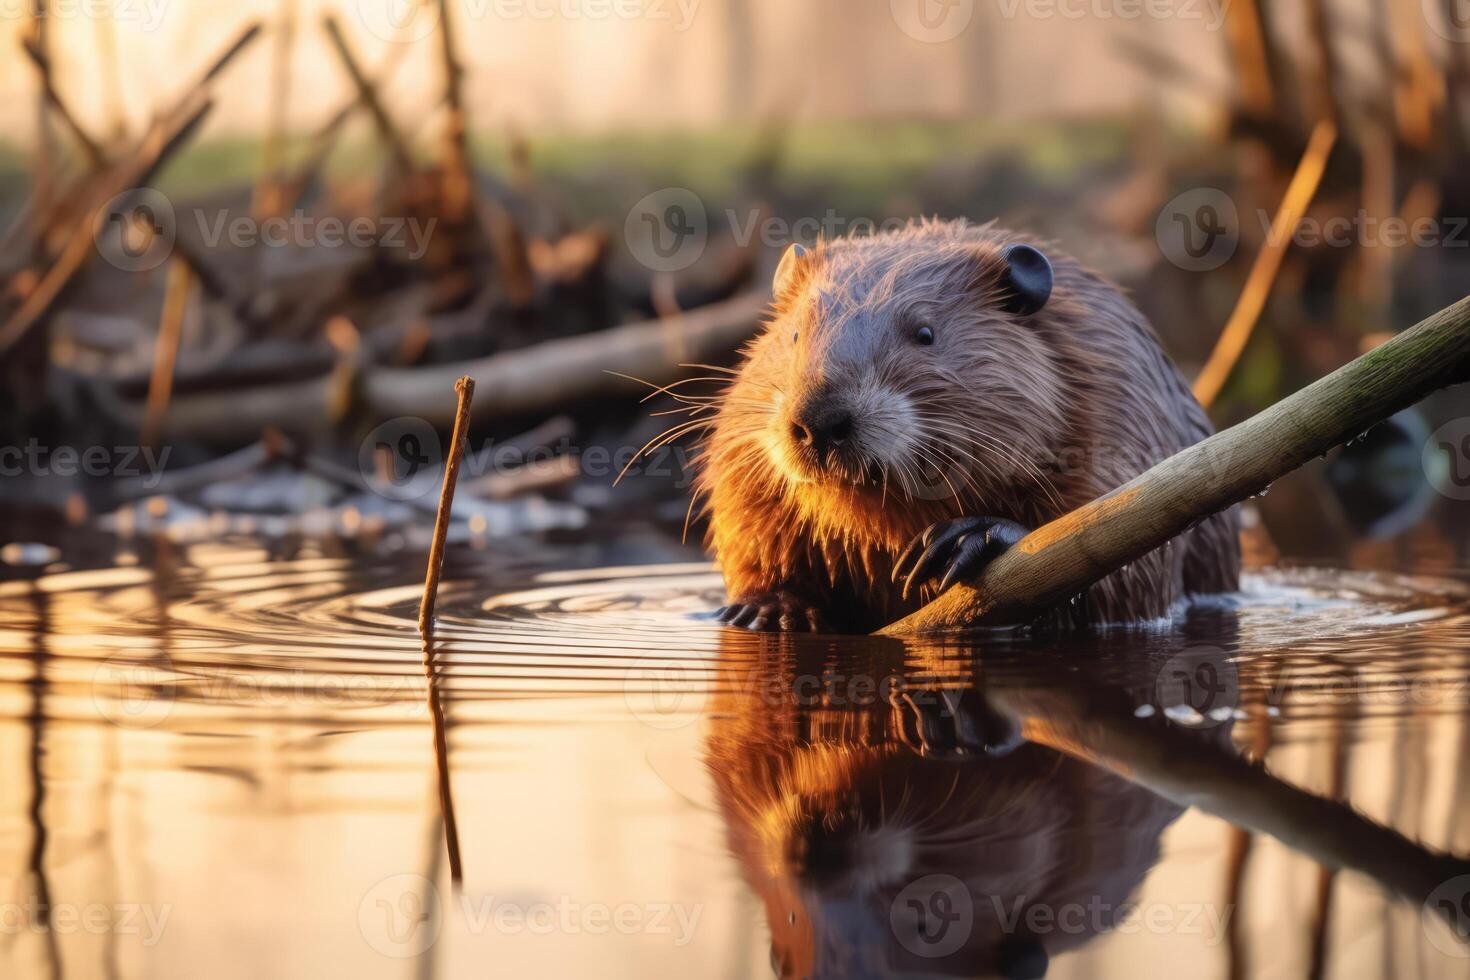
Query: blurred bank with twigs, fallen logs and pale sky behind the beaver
[[265, 239]]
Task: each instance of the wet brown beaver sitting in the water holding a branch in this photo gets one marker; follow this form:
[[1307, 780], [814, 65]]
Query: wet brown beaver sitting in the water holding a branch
[[918, 400]]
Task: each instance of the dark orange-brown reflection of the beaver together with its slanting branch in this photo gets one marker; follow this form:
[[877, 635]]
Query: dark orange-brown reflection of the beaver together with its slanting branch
[[921, 822]]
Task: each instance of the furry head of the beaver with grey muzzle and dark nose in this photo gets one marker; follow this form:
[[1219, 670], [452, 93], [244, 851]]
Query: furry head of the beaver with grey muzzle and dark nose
[[909, 365]]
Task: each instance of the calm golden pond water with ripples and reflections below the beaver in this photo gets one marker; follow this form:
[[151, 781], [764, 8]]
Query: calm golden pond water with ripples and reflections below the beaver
[[221, 762]]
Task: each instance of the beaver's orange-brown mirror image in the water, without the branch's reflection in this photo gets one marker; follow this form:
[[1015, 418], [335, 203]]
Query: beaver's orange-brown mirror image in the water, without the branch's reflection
[[896, 822]]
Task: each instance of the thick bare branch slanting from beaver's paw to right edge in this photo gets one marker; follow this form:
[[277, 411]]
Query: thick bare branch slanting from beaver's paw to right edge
[[1069, 555]]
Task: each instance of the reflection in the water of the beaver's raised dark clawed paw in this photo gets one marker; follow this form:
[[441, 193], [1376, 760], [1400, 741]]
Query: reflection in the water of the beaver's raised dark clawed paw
[[949, 724]]
